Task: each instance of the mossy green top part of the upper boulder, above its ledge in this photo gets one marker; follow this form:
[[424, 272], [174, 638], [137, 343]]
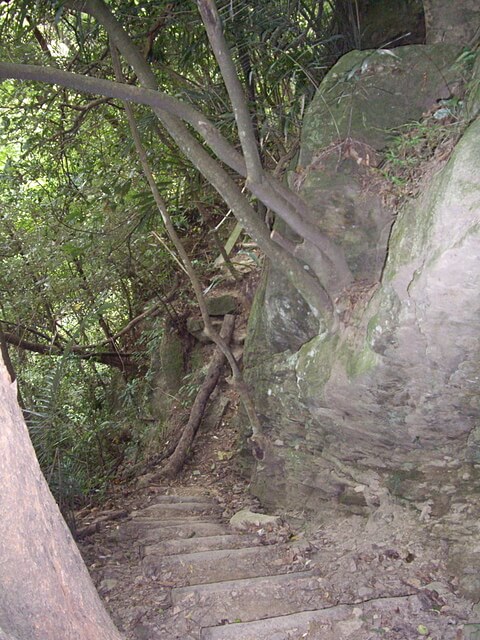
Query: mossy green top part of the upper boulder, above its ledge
[[368, 93]]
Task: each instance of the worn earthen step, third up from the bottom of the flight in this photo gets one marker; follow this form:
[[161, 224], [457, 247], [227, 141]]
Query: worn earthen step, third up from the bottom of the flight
[[219, 565]]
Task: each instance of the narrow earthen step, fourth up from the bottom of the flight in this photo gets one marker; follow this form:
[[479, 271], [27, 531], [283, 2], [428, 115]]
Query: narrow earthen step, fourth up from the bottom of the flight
[[149, 532]]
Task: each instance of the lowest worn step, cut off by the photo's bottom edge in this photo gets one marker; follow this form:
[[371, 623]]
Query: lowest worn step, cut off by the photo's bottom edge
[[355, 622]]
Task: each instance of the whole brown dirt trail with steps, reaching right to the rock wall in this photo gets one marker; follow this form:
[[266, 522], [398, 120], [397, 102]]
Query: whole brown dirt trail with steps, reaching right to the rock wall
[[170, 566]]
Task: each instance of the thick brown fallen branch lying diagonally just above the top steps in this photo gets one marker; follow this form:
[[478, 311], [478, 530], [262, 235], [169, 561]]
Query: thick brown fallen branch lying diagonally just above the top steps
[[177, 459]]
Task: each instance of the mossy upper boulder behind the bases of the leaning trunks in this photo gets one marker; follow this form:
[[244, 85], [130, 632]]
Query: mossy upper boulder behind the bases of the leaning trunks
[[362, 98]]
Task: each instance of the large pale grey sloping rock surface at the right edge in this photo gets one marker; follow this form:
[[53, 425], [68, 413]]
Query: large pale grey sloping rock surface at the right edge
[[386, 393]]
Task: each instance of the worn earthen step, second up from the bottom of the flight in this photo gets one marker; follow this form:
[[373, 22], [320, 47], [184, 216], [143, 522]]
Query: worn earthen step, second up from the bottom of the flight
[[250, 599]]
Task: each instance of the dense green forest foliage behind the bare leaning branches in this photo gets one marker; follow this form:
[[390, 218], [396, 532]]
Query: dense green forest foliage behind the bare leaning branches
[[87, 275]]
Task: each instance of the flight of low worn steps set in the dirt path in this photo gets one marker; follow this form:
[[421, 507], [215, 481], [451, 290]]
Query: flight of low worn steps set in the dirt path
[[176, 570]]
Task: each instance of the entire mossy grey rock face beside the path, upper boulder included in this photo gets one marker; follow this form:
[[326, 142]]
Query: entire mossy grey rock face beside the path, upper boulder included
[[388, 405]]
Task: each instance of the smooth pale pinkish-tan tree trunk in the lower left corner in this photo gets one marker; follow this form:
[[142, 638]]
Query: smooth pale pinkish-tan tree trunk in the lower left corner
[[46, 591]]
